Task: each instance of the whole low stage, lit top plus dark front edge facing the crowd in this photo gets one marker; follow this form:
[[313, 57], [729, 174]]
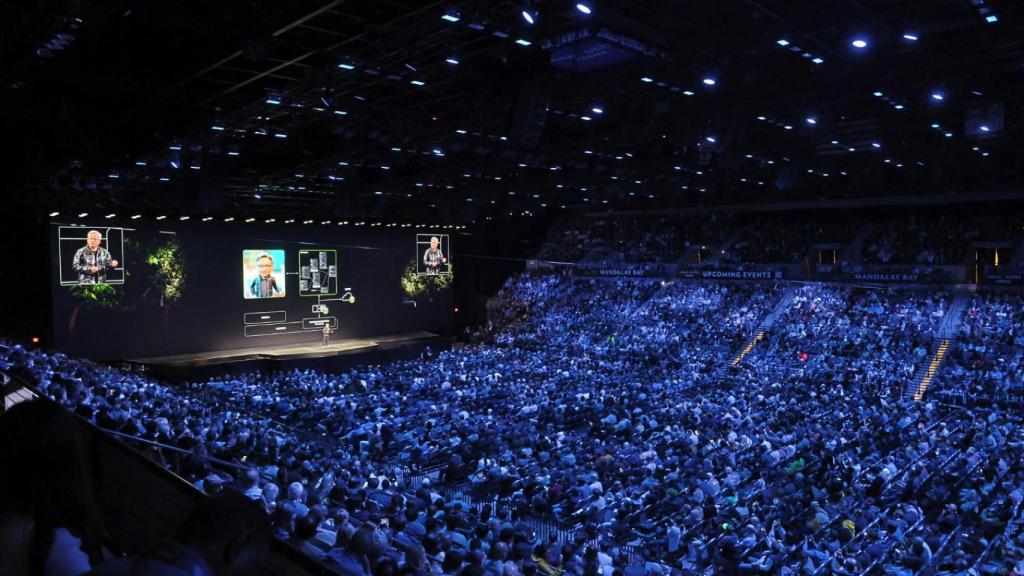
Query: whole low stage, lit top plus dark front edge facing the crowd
[[338, 354]]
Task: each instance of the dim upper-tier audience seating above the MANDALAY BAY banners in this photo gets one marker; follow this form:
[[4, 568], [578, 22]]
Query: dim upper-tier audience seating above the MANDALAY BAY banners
[[917, 237]]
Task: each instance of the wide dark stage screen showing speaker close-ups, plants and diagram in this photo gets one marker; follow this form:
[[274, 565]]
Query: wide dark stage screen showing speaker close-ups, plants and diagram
[[162, 289]]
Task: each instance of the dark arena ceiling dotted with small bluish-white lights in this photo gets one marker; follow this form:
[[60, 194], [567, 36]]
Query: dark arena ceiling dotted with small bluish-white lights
[[351, 109]]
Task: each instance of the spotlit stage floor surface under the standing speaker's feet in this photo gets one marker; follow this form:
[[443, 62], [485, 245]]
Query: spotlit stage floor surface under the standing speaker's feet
[[289, 352]]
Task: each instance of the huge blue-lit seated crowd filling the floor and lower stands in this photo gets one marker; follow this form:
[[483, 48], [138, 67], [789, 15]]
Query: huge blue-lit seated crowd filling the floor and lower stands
[[615, 427]]
